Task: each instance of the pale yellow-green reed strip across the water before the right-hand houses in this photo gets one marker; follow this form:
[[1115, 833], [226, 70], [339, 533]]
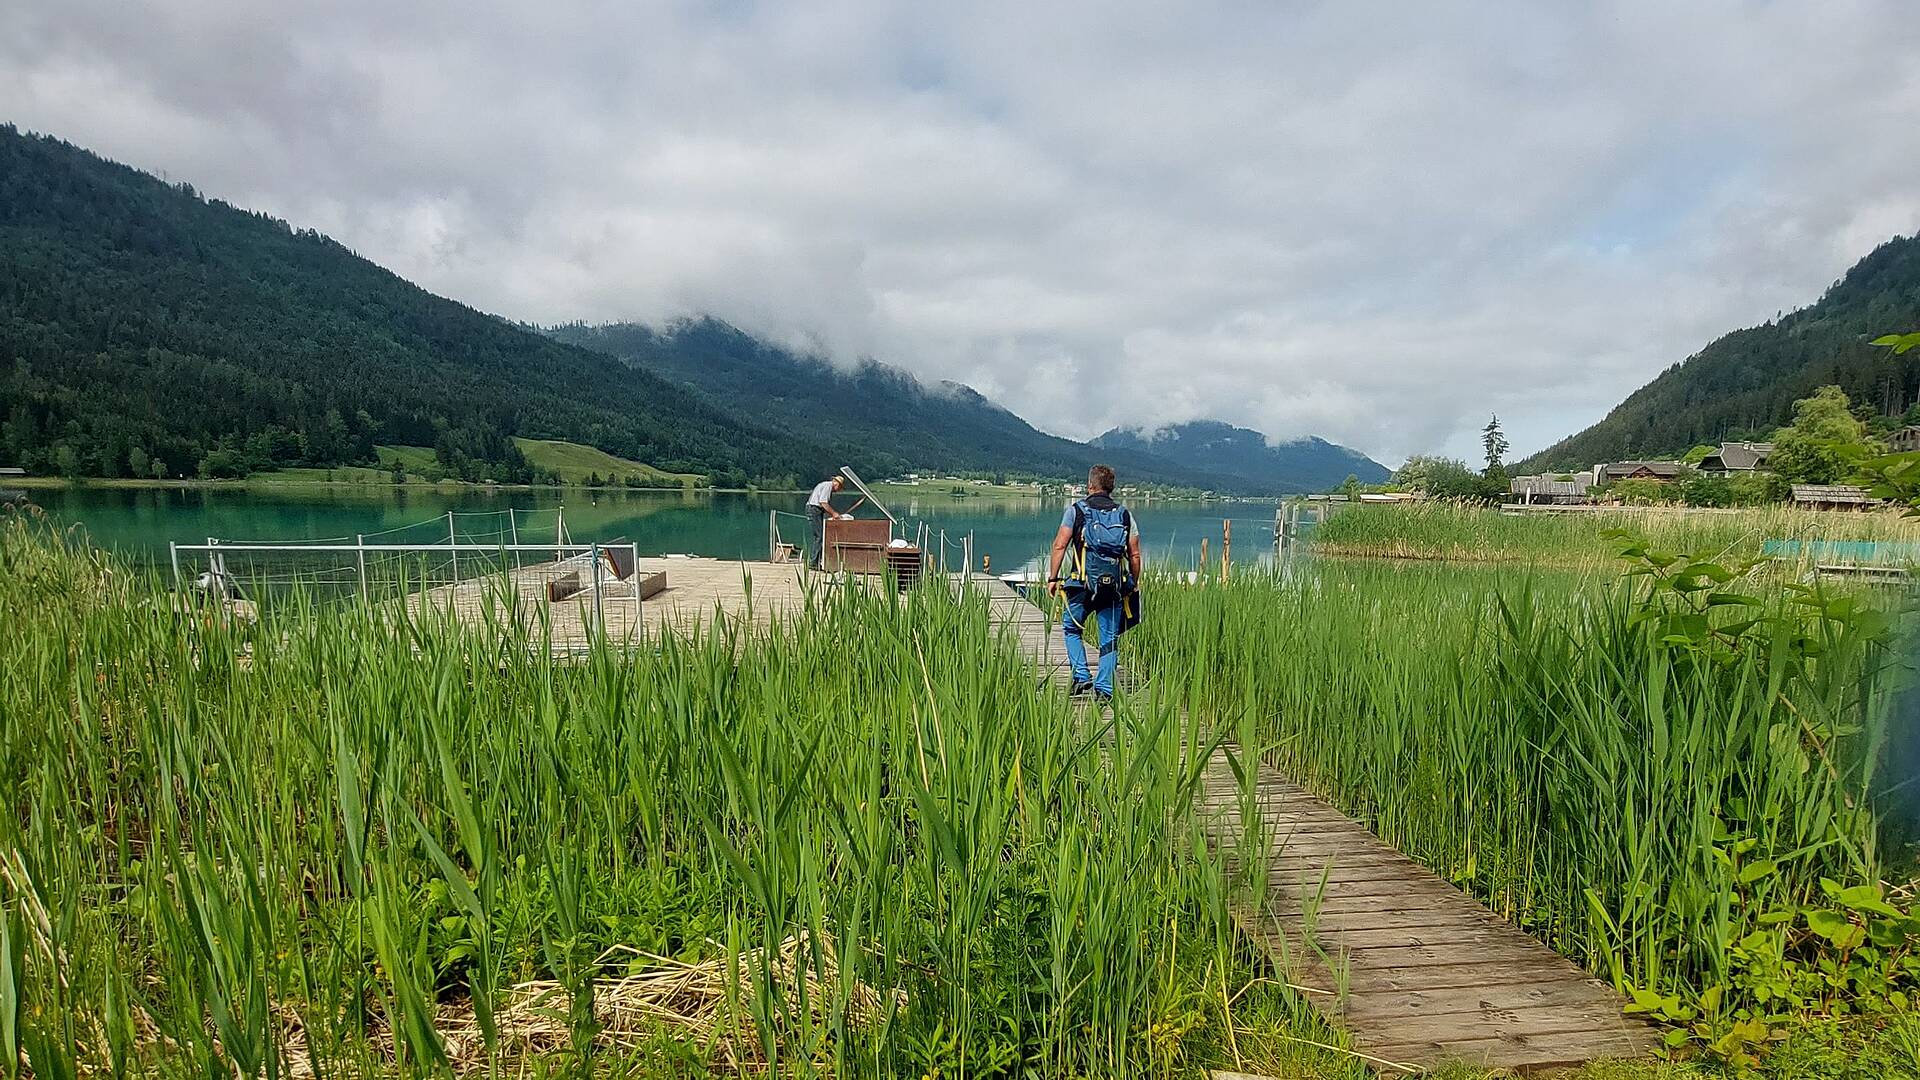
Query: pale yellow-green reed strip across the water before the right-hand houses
[[1460, 533]]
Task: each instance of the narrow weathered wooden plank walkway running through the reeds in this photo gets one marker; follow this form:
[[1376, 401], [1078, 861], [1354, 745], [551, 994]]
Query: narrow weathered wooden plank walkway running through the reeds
[[1414, 970]]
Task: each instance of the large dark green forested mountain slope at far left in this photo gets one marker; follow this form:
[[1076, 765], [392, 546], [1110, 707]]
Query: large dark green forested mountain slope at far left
[[145, 330]]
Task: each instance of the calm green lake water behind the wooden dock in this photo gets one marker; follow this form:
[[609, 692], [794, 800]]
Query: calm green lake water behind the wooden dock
[[141, 522]]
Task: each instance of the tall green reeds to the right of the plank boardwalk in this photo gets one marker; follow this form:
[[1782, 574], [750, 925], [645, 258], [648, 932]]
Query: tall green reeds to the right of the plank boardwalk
[[1547, 747]]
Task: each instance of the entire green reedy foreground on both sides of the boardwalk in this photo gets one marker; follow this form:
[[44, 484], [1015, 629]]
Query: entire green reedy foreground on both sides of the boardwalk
[[861, 845]]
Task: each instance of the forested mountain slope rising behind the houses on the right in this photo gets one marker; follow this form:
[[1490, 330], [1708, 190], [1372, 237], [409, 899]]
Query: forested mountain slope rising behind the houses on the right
[[1746, 383]]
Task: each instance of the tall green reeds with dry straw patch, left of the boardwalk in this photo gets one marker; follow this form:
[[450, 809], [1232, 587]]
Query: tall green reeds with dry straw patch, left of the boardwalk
[[354, 841]]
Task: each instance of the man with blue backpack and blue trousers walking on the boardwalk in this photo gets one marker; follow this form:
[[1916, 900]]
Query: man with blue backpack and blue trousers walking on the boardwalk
[[1101, 549]]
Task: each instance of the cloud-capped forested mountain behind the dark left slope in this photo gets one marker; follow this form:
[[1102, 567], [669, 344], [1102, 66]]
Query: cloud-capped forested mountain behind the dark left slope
[[871, 412]]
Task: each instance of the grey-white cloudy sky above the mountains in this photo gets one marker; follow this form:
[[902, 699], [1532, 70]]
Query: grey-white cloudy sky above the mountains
[[1368, 222]]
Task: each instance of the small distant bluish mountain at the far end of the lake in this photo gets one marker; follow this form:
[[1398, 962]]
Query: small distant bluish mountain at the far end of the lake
[[1301, 466]]
